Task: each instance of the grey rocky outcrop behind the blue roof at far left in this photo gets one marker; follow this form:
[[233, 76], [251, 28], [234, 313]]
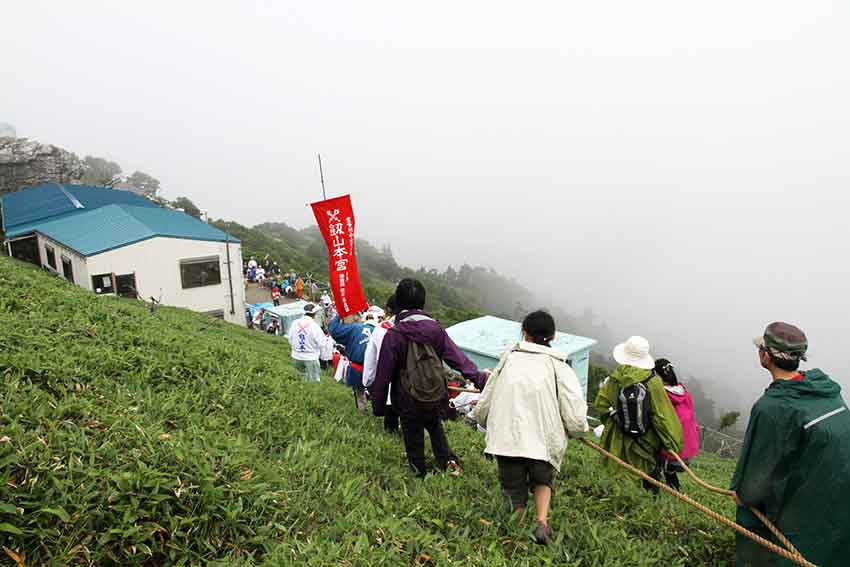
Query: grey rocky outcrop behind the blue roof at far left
[[27, 162]]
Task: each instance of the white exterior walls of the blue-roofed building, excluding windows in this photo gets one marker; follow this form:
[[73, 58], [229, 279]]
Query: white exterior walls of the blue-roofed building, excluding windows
[[156, 264]]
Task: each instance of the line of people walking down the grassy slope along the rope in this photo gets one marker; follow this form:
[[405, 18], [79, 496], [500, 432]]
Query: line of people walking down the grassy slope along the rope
[[795, 458]]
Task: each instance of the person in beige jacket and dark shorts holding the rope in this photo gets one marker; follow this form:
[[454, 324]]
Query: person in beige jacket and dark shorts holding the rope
[[530, 402]]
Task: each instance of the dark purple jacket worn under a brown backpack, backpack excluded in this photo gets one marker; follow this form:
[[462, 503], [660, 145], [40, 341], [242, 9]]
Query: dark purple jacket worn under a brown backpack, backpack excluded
[[415, 325]]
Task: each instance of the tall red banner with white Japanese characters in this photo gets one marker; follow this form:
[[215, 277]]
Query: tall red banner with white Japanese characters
[[336, 222]]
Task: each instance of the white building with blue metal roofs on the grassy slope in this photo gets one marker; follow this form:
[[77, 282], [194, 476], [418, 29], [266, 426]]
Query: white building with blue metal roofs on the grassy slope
[[116, 242]]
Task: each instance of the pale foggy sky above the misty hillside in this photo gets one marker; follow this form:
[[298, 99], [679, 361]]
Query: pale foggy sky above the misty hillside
[[682, 169]]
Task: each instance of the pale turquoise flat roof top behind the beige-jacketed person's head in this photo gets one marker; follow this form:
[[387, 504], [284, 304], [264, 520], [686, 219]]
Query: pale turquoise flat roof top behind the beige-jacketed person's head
[[491, 336]]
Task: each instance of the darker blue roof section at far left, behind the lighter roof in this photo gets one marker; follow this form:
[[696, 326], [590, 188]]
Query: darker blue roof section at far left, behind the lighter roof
[[51, 200]]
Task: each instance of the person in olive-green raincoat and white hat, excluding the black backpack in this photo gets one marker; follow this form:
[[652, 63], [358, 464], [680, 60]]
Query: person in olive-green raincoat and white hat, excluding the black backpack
[[637, 365]]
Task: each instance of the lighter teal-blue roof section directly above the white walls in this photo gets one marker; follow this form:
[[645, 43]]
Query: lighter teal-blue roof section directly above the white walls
[[106, 228]]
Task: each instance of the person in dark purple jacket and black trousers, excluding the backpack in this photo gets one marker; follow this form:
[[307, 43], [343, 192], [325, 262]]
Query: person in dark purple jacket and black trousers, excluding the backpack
[[412, 324]]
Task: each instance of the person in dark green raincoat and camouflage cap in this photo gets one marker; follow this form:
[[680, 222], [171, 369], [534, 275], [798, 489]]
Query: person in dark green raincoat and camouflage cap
[[795, 462]]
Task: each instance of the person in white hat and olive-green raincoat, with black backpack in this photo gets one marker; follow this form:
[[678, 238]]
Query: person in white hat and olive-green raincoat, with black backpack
[[638, 417]]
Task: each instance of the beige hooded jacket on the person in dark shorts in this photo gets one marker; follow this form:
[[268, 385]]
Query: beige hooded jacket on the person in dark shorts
[[529, 403]]
